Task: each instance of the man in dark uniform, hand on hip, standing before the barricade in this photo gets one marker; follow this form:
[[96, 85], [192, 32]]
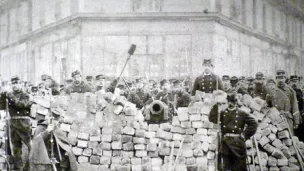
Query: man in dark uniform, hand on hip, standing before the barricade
[[234, 133]]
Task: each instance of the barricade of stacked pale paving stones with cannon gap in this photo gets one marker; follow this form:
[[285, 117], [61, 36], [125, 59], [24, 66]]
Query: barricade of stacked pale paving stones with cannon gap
[[109, 133]]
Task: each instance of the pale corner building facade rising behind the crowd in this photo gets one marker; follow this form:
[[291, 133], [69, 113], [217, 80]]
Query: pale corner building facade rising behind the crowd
[[56, 37]]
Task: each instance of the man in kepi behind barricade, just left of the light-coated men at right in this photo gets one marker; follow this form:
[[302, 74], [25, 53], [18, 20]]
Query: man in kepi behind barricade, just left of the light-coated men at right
[[260, 89]]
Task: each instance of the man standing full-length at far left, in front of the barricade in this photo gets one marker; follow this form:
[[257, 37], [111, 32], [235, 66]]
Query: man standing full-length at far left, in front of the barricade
[[19, 104]]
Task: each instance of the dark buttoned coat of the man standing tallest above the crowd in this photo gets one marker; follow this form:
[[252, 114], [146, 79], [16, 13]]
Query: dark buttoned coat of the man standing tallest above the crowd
[[207, 84]]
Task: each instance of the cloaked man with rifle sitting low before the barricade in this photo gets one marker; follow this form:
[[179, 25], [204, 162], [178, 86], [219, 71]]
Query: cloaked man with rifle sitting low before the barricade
[[41, 153]]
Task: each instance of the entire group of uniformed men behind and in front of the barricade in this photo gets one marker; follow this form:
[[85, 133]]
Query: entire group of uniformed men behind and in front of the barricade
[[285, 95]]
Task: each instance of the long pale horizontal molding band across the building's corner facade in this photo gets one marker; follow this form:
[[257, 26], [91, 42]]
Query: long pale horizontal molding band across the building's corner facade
[[158, 16]]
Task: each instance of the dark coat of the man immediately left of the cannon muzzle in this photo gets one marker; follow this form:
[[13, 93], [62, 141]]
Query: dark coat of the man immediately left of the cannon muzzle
[[140, 98]]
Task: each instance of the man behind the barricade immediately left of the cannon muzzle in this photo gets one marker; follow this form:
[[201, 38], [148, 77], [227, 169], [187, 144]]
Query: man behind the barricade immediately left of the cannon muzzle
[[140, 97]]
